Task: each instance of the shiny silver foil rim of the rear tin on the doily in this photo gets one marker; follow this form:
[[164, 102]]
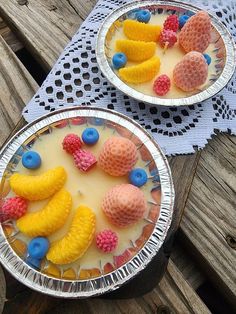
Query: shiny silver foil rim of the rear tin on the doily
[[212, 90]]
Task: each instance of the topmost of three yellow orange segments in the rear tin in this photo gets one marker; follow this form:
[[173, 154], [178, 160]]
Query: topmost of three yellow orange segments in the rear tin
[[140, 31]]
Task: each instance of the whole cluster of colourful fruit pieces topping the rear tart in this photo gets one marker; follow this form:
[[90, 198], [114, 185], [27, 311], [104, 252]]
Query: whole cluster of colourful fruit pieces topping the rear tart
[[143, 38]]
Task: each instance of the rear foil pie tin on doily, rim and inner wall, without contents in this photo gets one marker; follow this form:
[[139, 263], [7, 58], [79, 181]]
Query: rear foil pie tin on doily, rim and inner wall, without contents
[[221, 38]]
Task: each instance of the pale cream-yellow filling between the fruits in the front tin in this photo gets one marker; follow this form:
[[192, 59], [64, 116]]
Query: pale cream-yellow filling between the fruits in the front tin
[[86, 189]]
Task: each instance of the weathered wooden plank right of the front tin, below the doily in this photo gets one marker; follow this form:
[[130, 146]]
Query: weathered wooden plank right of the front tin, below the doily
[[210, 213]]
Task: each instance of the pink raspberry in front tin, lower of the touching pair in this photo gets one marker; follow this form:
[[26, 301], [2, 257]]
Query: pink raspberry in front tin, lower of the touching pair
[[84, 160]]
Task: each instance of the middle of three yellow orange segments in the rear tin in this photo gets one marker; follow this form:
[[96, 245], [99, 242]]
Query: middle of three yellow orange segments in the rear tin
[[137, 51]]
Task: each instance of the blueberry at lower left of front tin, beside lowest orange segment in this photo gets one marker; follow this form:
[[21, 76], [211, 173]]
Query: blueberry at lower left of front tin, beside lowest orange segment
[[38, 247]]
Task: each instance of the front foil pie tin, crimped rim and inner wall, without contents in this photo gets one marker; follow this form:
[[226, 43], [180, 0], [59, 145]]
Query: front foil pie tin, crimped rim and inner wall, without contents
[[105, 282]]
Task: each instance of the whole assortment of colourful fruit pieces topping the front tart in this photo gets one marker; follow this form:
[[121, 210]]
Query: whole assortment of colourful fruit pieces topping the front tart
[[123, 205]]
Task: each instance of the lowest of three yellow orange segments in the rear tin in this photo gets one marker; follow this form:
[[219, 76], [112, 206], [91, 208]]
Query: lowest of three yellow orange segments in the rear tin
[[142, 72]]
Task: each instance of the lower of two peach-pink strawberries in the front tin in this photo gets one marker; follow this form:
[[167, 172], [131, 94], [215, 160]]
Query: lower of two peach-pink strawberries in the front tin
[[124, 205]]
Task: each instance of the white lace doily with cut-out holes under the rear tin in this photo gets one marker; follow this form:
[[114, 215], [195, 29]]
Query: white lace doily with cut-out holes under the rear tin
[[76, 79]]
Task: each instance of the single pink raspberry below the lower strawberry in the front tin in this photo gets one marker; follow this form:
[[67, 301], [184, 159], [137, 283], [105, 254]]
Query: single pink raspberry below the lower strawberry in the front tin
[[107, 241]]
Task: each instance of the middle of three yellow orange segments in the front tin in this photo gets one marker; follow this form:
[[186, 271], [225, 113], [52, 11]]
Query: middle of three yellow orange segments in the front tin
[[49, 219]]
